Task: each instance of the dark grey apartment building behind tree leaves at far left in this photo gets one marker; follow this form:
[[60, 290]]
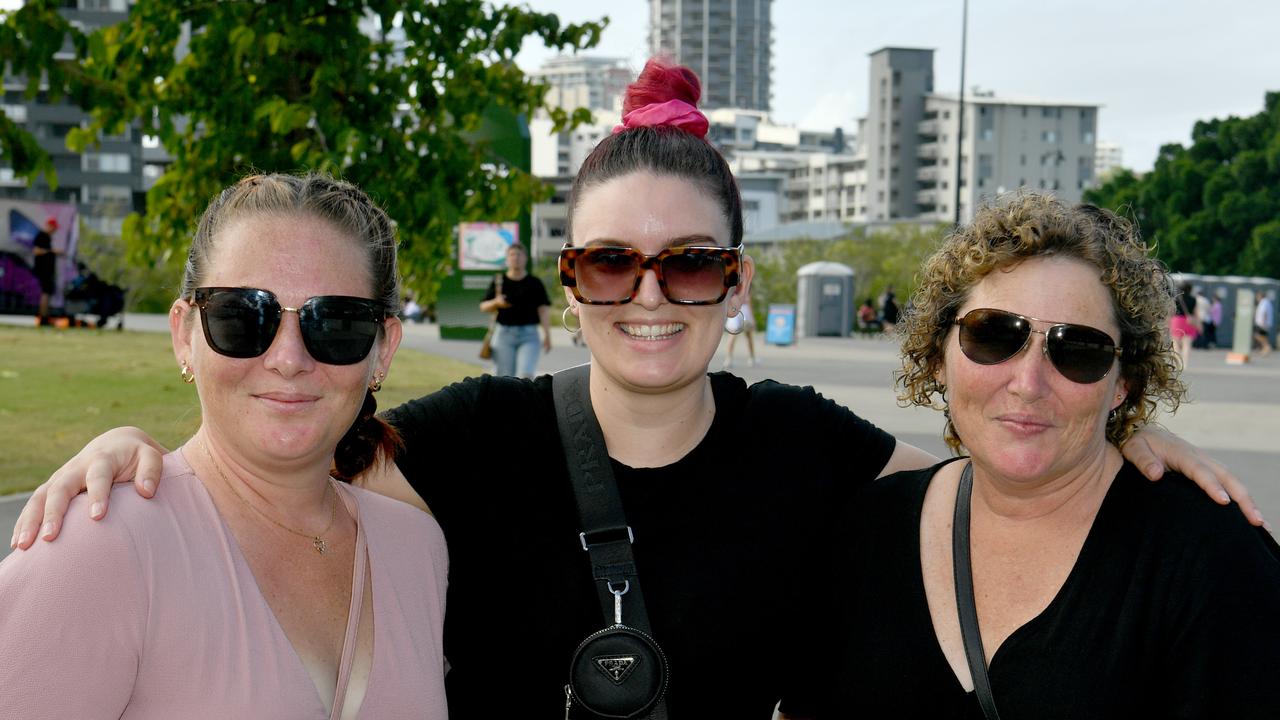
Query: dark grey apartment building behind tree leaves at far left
[[108, 181]]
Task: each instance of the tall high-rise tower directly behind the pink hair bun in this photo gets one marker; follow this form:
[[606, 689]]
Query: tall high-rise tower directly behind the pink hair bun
[[728, 43]]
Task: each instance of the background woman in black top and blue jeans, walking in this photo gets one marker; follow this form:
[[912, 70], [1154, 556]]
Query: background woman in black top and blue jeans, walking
[[522, 306]]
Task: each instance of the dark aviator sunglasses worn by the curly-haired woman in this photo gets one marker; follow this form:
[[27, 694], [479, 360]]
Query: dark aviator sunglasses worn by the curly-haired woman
[[1081, 354]]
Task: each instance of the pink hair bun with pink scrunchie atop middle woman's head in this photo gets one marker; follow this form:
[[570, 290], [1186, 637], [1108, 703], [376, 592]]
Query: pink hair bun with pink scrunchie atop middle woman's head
[[664, 95]]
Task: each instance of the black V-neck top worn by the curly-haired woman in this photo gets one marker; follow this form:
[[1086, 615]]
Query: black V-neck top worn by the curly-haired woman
[[1172, 610]]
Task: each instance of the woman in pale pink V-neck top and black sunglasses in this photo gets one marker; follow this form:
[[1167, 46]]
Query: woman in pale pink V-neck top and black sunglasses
[[257, 585]]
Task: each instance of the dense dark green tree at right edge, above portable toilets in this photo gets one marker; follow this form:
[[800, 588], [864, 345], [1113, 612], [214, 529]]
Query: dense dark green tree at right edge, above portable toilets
[[1212, 208]]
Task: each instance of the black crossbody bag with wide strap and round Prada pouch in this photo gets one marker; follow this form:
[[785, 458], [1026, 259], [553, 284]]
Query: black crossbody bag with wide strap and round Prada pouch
[[620, 671]]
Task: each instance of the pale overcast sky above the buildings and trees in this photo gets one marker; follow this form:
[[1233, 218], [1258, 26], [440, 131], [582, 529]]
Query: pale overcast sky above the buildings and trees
[[1155, 66]]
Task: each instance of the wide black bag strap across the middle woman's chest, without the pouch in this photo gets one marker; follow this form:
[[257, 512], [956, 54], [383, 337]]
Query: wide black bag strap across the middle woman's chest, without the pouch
[[606, 536]]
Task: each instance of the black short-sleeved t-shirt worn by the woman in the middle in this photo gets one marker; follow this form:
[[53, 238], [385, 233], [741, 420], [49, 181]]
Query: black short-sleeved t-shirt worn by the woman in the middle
[[724, 541]]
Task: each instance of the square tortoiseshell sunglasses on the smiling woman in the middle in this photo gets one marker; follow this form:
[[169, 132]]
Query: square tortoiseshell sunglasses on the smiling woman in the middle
[[688, 275]]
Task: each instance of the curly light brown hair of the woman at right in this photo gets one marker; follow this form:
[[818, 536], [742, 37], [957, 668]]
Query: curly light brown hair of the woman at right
[[1028, 225]]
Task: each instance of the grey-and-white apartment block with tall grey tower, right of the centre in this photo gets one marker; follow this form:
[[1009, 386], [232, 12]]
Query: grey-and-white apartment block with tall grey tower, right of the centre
[[909, 142]]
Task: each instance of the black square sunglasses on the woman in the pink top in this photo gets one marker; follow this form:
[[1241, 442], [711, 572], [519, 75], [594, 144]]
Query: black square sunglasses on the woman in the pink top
[[243, 322]]
